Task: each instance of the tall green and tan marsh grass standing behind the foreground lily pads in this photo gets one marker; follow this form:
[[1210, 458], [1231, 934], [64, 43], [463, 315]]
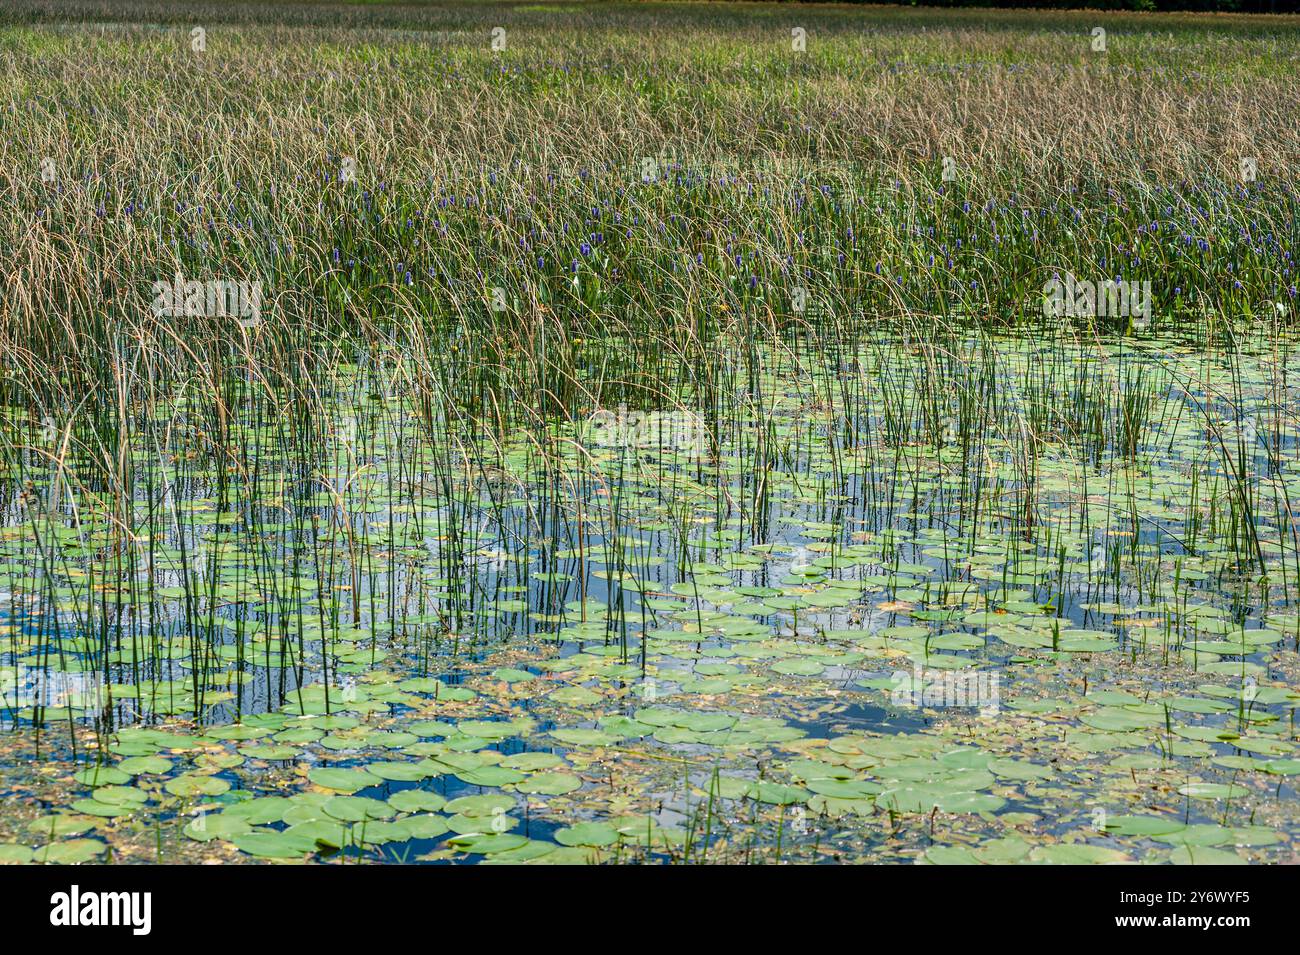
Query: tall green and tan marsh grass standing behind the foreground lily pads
[[401, 449]]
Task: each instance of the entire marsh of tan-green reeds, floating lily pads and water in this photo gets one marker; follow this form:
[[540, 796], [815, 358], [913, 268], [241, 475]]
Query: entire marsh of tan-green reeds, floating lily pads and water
[[648, 428]]
